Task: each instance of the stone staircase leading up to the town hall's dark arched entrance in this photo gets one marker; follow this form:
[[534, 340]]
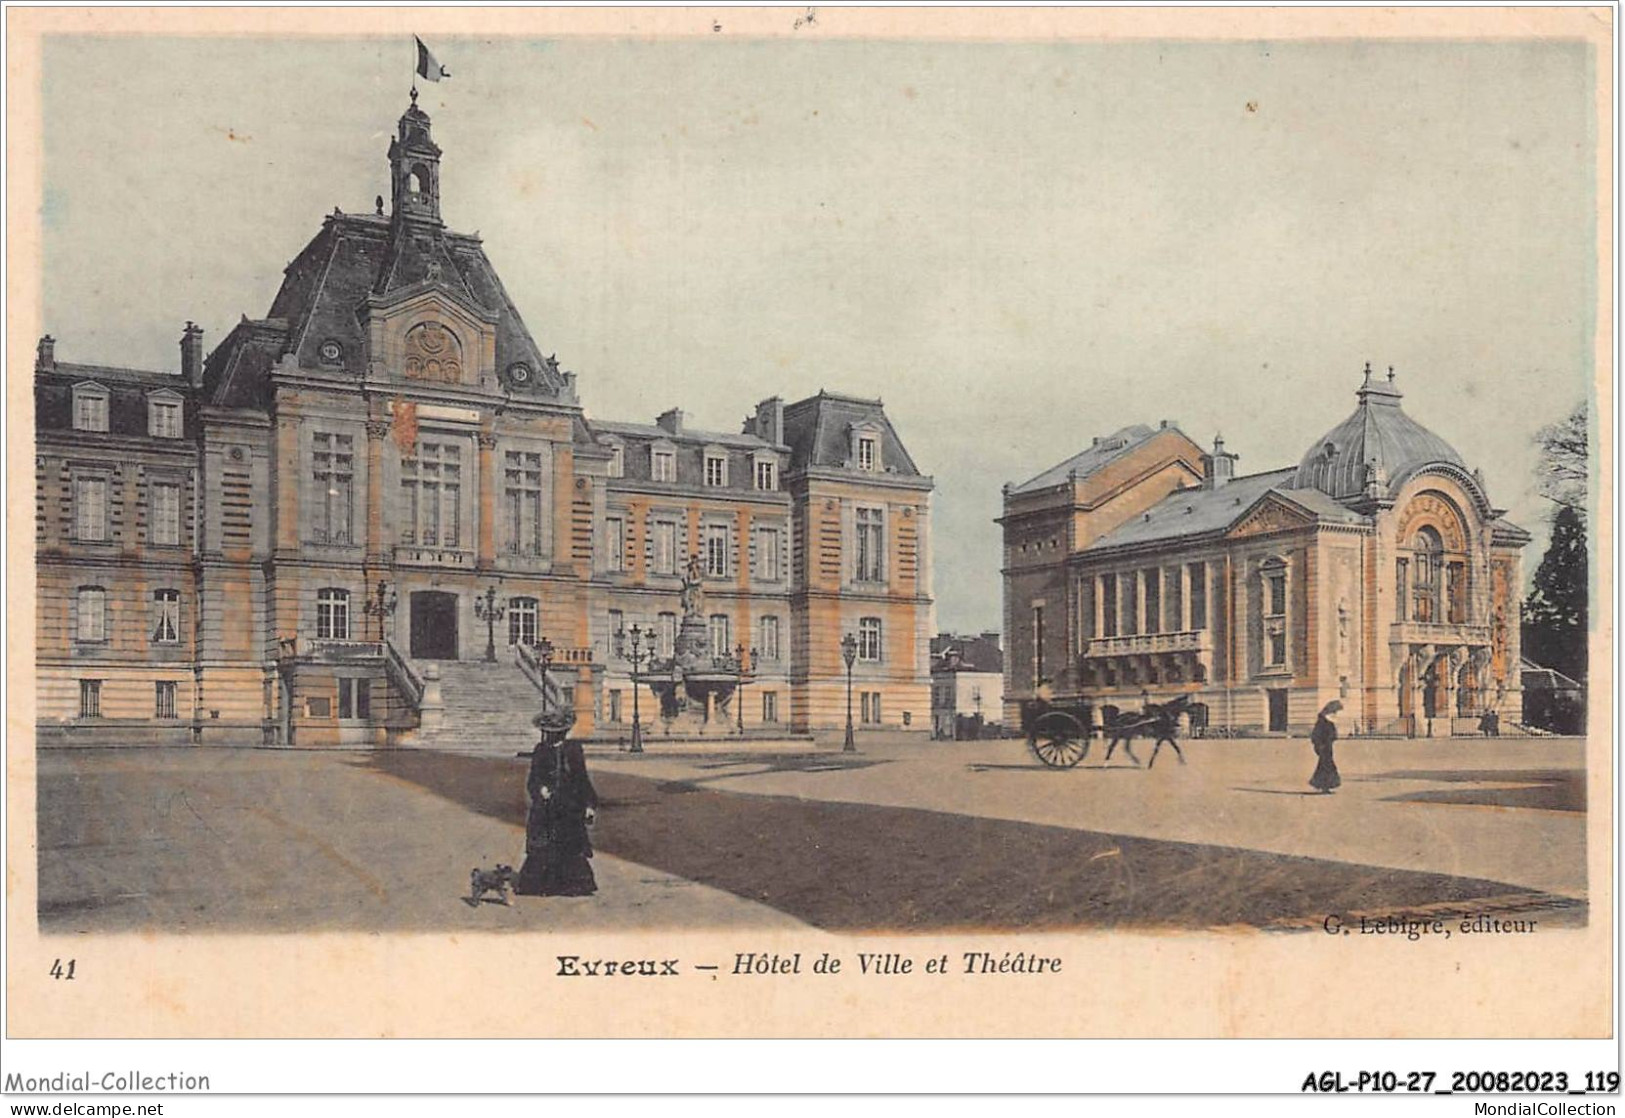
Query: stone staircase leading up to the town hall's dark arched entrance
[[488, 708]]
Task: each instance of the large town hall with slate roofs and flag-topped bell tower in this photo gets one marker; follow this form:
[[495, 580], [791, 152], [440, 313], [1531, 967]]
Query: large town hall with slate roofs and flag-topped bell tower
[[373, 516]]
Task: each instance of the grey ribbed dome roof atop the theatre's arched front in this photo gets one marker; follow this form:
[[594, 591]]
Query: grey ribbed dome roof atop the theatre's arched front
[[1379, 438]]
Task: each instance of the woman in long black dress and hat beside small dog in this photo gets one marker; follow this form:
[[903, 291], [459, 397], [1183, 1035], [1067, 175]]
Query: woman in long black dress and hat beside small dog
[[563, 804]]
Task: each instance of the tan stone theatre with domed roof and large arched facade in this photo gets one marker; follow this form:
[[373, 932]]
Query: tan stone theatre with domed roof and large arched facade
[[1376, 571]]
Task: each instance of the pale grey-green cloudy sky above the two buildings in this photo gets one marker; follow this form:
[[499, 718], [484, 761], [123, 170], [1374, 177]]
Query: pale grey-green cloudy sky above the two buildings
[[1015, 246]]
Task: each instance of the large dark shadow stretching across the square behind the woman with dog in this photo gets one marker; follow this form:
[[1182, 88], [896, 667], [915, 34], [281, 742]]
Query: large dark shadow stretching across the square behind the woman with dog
[[862, 867]]
